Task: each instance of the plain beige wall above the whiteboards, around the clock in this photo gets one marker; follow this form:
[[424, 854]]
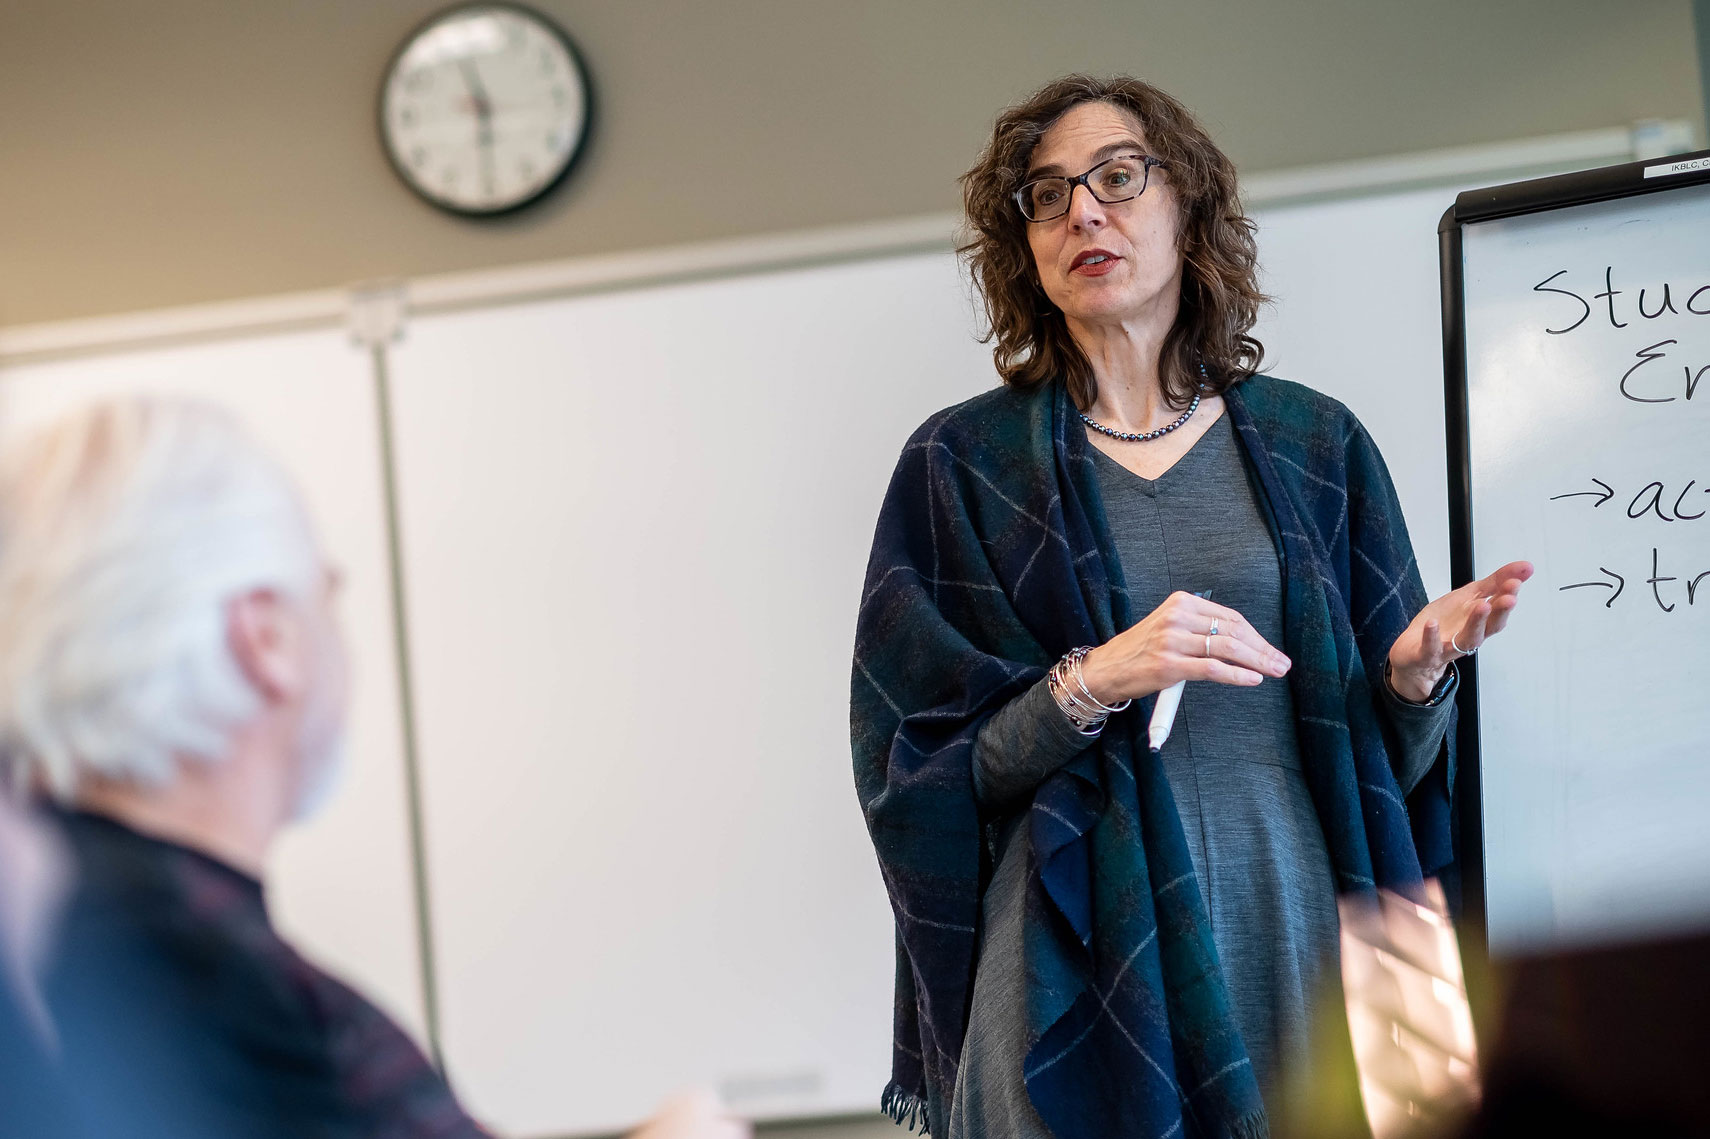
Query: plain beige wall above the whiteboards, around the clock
[[174, 151]]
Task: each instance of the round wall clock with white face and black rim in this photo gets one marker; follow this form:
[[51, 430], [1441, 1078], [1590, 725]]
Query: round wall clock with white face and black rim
[[485, 109]]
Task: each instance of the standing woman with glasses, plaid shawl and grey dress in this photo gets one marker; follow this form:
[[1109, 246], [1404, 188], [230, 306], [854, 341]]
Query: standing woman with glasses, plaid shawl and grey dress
[[1097, 941]]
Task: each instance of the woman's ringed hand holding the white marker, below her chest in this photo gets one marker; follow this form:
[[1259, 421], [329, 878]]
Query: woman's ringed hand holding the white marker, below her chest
[[1170, 644]]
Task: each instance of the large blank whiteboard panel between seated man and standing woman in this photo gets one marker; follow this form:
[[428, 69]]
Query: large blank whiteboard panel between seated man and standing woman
[[635, 536]]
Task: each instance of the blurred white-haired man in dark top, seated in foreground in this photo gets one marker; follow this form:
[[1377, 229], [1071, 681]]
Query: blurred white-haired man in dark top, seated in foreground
[[172, 673]]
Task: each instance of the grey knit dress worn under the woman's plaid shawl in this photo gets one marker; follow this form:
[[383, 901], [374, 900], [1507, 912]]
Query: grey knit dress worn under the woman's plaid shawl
[[1234, 769]]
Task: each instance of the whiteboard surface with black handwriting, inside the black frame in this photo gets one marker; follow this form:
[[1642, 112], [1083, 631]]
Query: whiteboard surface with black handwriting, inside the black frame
[[1593, 716]]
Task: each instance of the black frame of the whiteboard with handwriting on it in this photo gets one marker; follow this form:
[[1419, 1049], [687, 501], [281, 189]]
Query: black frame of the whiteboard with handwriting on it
[[1538, 196]]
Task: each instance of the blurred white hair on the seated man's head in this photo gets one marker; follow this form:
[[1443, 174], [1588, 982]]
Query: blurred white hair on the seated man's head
[[126, 533]]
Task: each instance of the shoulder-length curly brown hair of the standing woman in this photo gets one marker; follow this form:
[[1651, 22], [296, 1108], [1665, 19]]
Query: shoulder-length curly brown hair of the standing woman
[[1220, 286]]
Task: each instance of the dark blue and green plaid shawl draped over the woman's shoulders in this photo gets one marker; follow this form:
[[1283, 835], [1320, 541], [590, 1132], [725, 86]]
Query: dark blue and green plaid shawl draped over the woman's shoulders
[[991, 560]]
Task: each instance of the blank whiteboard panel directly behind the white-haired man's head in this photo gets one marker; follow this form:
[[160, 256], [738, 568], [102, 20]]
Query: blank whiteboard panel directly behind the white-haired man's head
[[339, 887]]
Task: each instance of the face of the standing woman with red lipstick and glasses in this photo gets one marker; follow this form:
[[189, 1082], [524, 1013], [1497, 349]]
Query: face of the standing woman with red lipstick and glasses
[[1141, 274]]
